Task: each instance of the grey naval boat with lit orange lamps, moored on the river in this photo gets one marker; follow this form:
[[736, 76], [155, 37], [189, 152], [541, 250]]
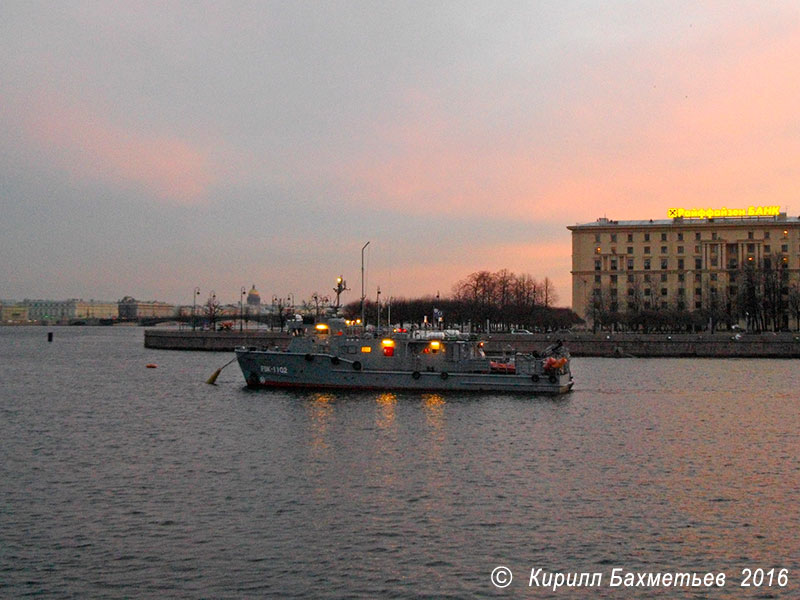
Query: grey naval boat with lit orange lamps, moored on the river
[[335, 354]]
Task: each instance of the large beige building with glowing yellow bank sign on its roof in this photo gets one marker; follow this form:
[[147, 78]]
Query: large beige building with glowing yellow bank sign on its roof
[[695, 261]]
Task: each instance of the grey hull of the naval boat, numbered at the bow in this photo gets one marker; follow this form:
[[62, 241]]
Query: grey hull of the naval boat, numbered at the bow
[[274, 369]]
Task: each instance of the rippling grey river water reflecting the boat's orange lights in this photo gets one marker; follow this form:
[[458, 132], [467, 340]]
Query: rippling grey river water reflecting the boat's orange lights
[[119, 481]]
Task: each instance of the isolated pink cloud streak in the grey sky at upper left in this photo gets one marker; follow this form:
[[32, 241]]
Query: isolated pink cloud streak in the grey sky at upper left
[[86, 144]]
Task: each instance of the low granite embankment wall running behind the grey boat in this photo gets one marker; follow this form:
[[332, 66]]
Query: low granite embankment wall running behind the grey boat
[[717, 345]]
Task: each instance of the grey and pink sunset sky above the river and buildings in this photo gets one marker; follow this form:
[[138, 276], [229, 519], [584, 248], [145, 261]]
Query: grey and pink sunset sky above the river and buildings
[[150, 147]]
